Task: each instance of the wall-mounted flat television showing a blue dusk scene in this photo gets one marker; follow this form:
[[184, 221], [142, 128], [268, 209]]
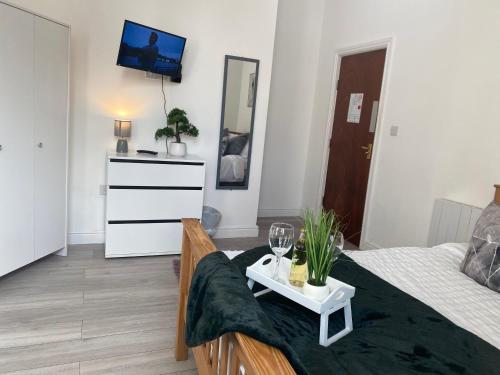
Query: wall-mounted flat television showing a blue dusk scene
[[150, 49]]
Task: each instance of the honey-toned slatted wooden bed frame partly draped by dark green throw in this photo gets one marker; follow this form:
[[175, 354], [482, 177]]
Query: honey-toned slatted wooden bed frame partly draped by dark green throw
[[233, 349]]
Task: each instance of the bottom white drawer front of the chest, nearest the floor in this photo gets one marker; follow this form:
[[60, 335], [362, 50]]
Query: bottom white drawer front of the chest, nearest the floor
[[143, 239]]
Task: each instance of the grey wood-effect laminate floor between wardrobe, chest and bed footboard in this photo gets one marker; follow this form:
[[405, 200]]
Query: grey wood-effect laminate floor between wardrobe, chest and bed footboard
[[83, 314]]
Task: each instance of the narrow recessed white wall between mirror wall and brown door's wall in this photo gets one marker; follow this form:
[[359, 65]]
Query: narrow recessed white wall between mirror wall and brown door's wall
[[296, 52]]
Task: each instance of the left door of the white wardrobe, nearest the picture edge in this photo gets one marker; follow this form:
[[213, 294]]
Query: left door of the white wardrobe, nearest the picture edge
[[16, 138]]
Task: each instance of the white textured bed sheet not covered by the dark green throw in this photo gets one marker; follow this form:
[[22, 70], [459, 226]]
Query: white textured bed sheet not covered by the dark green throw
[[432, 276]]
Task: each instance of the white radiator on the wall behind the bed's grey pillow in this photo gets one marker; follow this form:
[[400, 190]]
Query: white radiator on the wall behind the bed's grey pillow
[[452, 222]]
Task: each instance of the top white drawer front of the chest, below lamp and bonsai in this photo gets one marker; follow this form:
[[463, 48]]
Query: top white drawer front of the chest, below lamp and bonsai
[[155, 174]]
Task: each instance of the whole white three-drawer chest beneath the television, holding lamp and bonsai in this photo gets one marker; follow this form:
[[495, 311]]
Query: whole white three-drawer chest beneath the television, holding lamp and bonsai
[[146, 198]]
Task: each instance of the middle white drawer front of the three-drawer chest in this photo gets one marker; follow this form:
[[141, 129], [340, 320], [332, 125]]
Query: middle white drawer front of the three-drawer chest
[[148, 204]]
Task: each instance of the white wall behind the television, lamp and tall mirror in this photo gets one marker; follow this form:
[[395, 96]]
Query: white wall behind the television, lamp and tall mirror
[[102, 91]]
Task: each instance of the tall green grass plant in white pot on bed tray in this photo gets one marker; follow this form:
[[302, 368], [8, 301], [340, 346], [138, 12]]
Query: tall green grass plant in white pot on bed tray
[[324, 244]]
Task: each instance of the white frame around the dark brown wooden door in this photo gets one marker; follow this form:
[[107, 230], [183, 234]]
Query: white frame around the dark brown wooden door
[[388, 44]]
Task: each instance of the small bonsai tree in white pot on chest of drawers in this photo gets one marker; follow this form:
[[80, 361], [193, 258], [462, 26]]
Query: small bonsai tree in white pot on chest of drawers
[[177, 124]]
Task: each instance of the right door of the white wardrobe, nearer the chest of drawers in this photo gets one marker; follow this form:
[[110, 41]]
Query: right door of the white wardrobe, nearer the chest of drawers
[[51, 98]]
